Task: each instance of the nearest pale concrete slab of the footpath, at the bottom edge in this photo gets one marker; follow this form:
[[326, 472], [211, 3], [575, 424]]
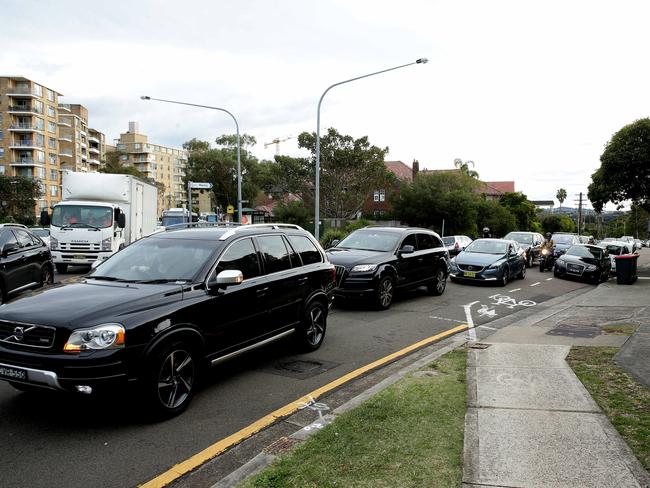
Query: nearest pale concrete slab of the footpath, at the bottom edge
[[526, 448]]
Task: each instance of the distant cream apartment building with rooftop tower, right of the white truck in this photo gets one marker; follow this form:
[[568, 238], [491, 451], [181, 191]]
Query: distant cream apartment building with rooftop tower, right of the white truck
[[164, 165]]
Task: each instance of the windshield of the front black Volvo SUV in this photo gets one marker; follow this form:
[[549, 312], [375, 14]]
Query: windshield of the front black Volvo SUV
[[155, 259]]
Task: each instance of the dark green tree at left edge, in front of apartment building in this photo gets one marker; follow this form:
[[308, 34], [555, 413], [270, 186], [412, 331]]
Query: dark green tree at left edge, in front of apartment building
[[17, 195]]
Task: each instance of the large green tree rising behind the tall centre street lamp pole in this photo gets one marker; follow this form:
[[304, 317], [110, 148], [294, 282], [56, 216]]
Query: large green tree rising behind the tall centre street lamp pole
[[350, 170]]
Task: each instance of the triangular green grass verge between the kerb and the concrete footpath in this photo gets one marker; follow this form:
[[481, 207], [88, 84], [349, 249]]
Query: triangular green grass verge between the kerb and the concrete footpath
[[410, 434]]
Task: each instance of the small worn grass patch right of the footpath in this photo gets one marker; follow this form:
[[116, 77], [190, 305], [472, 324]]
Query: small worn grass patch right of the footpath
[[625, 402]]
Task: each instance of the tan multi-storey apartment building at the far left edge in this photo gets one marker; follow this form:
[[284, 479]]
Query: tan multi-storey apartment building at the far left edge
[[29, 135]]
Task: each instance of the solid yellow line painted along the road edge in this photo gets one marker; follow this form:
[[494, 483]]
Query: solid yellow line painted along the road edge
[[217, 448]]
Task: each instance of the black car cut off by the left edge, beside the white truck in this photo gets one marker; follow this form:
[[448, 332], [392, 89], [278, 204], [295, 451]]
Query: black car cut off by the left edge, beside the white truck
[[25, 261]]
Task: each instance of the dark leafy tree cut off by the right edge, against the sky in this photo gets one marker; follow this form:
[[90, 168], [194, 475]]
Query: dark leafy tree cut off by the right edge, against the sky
[[624, 172]]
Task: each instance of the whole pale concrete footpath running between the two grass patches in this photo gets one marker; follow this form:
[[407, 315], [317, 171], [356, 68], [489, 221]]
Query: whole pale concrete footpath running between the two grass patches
[[530, 422]]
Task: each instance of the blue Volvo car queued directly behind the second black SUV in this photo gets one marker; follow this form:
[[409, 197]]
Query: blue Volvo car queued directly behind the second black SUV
[[491, 260]]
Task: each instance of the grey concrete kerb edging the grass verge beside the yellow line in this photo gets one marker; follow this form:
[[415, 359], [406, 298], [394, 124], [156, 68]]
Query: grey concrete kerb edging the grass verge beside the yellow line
[[263, 459]]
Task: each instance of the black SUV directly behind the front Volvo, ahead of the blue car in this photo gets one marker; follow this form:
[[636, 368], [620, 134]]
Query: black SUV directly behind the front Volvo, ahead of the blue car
[[374, 262]]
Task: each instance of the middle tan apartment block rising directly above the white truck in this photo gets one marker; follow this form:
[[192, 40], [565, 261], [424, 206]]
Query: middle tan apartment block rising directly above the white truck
[[81, 148]]
